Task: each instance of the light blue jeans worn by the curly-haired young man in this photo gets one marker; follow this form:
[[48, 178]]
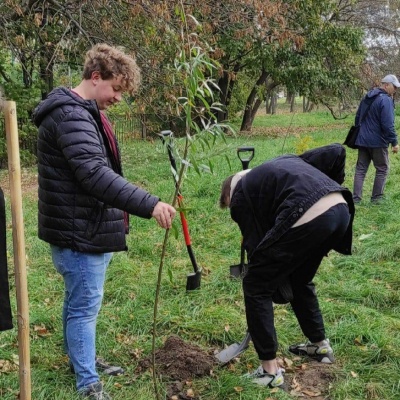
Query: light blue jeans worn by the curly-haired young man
[[83, 275]]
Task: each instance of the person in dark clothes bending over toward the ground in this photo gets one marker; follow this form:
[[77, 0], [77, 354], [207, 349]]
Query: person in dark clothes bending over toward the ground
[[291, 211]]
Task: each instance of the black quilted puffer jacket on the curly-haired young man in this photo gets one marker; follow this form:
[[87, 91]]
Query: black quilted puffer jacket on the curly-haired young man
[[81, 189]]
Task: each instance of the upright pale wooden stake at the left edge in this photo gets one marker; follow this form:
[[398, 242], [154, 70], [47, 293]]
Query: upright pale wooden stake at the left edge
[[14, 169]]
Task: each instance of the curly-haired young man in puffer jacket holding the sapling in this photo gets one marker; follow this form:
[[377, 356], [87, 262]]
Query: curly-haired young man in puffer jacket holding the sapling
[[84, 201]]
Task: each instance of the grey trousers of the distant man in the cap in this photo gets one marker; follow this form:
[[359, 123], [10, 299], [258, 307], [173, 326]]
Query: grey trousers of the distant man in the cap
[[380, 159]]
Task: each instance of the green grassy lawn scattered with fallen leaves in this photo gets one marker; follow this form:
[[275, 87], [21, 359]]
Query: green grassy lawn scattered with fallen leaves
[[359, 294]]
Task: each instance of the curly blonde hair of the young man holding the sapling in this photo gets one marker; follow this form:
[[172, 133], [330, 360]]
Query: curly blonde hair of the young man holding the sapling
[[112, 62]]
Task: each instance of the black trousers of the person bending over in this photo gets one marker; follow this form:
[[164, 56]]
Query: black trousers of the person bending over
[[296, 256]]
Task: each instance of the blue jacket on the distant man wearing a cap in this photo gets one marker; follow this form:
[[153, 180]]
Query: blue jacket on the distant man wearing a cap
[[377, 129]]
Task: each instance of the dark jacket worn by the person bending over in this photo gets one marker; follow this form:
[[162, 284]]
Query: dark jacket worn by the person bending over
[[268, 201]]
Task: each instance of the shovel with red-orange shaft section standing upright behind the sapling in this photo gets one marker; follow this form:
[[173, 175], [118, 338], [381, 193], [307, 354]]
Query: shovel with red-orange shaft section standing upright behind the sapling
[[193, 279]]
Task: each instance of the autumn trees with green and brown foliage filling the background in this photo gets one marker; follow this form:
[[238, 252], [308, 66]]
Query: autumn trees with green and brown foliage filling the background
[[313, 48]]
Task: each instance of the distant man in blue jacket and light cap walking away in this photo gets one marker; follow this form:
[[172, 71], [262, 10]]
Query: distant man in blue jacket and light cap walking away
[[377, 132]]
